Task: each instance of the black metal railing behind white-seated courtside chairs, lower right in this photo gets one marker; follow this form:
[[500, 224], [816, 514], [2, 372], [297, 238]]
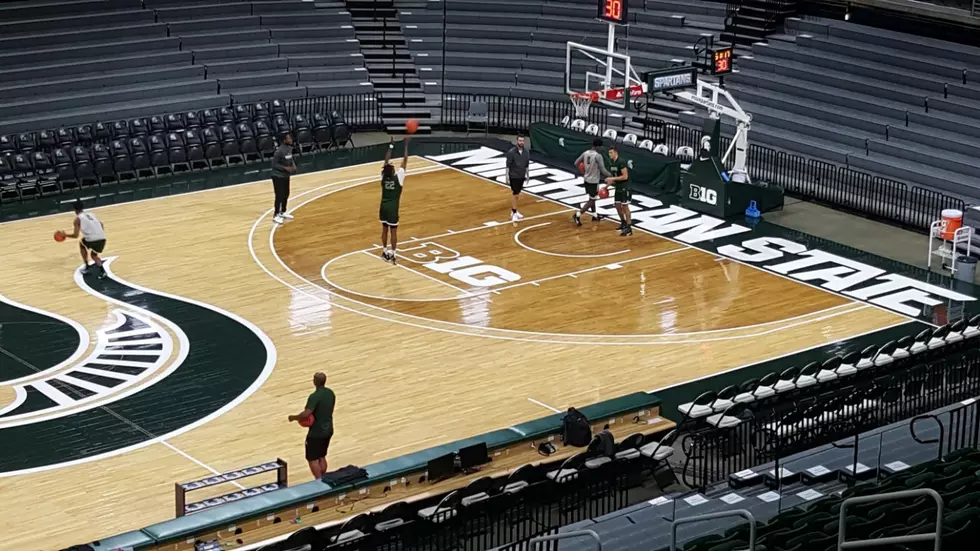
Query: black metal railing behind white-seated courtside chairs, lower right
[[874, 398]]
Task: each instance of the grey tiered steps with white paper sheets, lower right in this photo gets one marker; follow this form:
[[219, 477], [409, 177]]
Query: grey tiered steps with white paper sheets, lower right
[[884, 453]]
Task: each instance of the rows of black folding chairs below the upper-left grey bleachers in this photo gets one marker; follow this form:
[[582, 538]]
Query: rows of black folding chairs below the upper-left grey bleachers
[[55, 161]]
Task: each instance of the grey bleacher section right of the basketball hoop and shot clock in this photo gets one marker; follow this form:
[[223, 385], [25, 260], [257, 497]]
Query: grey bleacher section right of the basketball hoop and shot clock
[[905, 107]]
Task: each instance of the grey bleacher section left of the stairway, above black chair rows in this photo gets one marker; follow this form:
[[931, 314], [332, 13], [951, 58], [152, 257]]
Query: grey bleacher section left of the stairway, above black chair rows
[[70, 63]]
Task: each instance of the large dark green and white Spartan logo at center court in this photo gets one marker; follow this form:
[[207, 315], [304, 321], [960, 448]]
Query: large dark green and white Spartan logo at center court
[[161, 366]]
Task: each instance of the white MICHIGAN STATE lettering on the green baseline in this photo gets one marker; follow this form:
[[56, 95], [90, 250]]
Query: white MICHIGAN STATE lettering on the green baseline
[[777, 255]]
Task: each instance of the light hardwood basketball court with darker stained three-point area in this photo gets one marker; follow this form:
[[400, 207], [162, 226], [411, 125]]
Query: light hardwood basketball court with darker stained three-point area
[[189, 358]]
